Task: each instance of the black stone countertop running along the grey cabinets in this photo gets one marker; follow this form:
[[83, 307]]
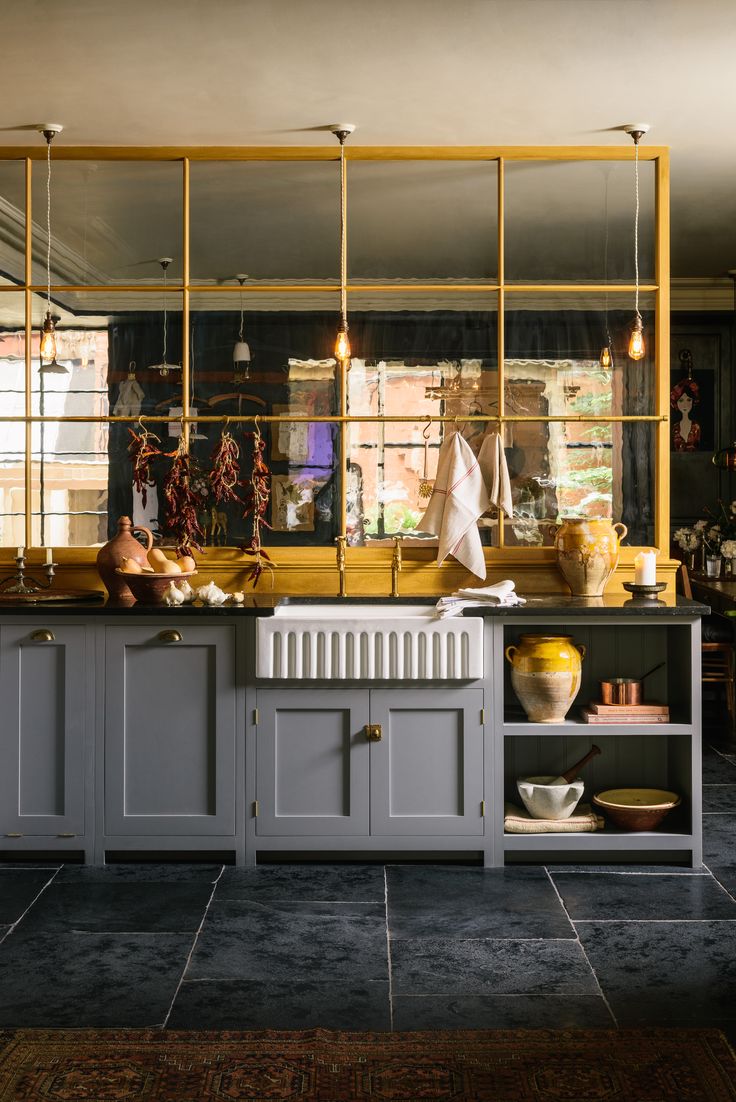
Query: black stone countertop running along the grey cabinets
[[538, 606]]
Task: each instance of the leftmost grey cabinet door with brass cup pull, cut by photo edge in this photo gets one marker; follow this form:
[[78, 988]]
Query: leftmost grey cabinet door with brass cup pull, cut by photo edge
[[46, 685]]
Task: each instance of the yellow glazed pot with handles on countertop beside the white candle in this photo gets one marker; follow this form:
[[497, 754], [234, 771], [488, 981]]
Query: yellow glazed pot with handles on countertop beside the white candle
[[588, 553]]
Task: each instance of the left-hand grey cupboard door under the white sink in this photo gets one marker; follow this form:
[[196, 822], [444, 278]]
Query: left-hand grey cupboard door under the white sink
[[312, 763]]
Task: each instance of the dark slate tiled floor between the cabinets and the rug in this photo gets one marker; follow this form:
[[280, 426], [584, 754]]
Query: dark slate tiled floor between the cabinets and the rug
[[371, 947]]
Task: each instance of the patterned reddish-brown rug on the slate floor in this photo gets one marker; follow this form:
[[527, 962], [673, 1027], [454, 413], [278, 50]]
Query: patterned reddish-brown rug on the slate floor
[[319, 1066]]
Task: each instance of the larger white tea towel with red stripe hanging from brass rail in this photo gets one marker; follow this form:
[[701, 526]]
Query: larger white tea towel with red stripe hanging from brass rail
[[459, 499]]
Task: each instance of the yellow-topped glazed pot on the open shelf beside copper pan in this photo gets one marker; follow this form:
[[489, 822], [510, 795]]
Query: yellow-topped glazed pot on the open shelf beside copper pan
[[546, 675]]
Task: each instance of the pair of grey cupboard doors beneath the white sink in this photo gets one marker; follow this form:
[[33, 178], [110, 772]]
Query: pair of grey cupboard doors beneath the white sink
[[382, 763]]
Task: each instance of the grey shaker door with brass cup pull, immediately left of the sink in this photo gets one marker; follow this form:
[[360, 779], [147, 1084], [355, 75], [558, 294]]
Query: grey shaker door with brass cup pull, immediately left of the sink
[[170, 731]]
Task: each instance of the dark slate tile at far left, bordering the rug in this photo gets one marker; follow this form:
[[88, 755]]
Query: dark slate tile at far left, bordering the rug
[[90, 979]]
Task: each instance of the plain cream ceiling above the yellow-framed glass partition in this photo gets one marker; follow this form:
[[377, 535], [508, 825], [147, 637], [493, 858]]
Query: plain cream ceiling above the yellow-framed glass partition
[[406, 72]]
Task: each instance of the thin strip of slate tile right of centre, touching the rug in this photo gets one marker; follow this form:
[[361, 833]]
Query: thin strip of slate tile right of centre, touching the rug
[[501, 1012]]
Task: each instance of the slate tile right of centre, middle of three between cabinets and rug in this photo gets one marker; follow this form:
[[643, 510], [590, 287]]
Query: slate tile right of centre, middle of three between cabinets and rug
[[490, 968]]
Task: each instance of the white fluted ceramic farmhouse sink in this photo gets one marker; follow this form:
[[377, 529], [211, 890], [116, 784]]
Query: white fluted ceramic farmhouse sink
[[367, 643]]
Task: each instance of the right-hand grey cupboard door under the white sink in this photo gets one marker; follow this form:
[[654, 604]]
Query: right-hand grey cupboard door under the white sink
[[427, 772]]
